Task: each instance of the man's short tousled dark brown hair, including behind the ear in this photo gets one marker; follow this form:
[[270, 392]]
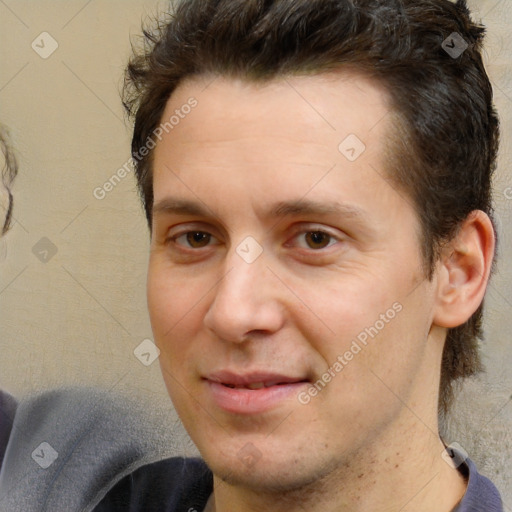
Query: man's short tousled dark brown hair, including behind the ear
[[447, 153]]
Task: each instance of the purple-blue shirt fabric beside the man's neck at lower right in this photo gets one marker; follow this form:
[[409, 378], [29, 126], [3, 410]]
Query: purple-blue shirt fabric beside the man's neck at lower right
[[481, 494]]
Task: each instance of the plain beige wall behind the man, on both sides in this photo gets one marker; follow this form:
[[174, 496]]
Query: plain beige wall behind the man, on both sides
[[72, 280]]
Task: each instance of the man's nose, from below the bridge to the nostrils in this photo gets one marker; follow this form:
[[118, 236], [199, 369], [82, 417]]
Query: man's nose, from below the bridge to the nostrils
[[247, 301]]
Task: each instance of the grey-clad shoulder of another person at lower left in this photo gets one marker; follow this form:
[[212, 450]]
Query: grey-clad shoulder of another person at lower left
[[67, 445]]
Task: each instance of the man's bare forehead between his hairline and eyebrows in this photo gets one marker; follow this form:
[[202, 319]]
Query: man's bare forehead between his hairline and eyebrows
[[274, 141]]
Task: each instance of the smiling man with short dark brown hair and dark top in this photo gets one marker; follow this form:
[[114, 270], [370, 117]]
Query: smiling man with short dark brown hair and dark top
[[316, 178]]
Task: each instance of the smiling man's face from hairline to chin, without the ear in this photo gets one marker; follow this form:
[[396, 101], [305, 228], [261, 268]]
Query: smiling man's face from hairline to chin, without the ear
[[273, 249]]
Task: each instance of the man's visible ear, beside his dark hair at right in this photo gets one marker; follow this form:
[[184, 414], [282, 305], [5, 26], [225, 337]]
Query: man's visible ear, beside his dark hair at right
[[463, 271]]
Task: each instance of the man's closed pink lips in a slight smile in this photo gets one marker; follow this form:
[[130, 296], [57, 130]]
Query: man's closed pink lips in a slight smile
[[278, 388]]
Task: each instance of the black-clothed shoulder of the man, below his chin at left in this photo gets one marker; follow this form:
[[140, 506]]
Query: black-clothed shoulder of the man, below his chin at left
[[174, 484]]
